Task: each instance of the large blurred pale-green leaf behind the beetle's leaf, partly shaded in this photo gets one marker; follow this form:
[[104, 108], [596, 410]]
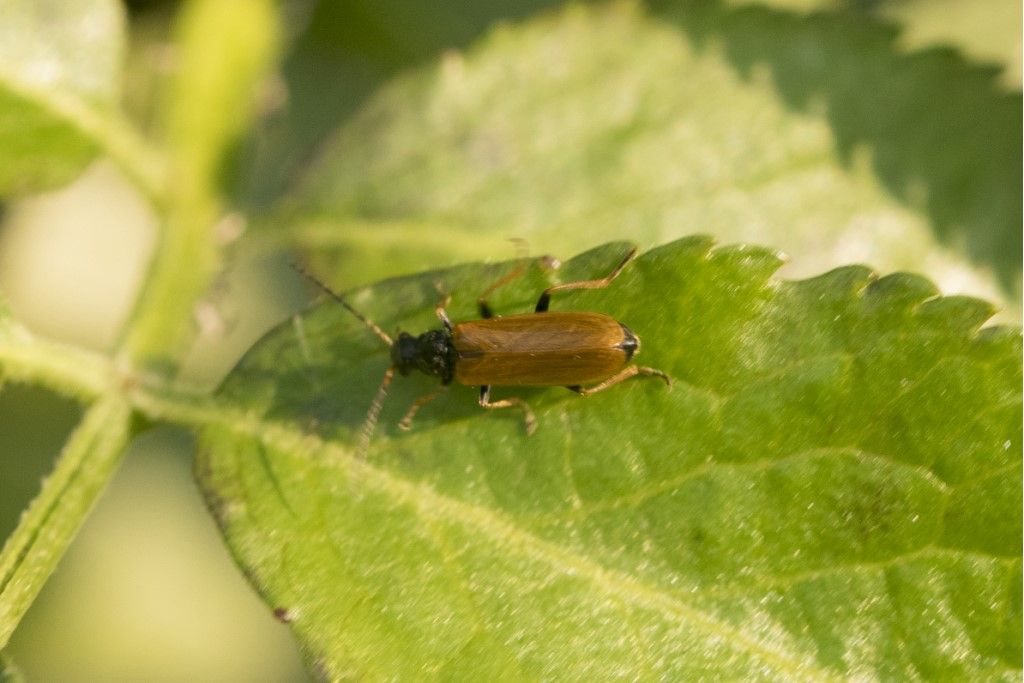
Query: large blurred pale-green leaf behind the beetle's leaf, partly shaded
[[817, 135]]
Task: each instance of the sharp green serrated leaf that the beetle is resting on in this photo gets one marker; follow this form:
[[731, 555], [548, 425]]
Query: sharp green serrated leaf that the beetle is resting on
[[831, 490]]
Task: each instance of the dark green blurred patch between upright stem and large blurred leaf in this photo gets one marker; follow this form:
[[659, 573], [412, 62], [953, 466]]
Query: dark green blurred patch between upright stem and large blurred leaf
[[342, 54]]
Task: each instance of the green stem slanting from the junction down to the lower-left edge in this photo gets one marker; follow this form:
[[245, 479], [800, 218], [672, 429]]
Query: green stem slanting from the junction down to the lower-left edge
[[47, 529]]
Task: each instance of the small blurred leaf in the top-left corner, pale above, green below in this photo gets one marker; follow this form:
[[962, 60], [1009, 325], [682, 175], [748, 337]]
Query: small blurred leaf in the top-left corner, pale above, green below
[[60, 80]]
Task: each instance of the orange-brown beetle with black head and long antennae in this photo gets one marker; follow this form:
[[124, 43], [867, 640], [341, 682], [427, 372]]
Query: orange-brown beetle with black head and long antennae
[[539, 350]]
